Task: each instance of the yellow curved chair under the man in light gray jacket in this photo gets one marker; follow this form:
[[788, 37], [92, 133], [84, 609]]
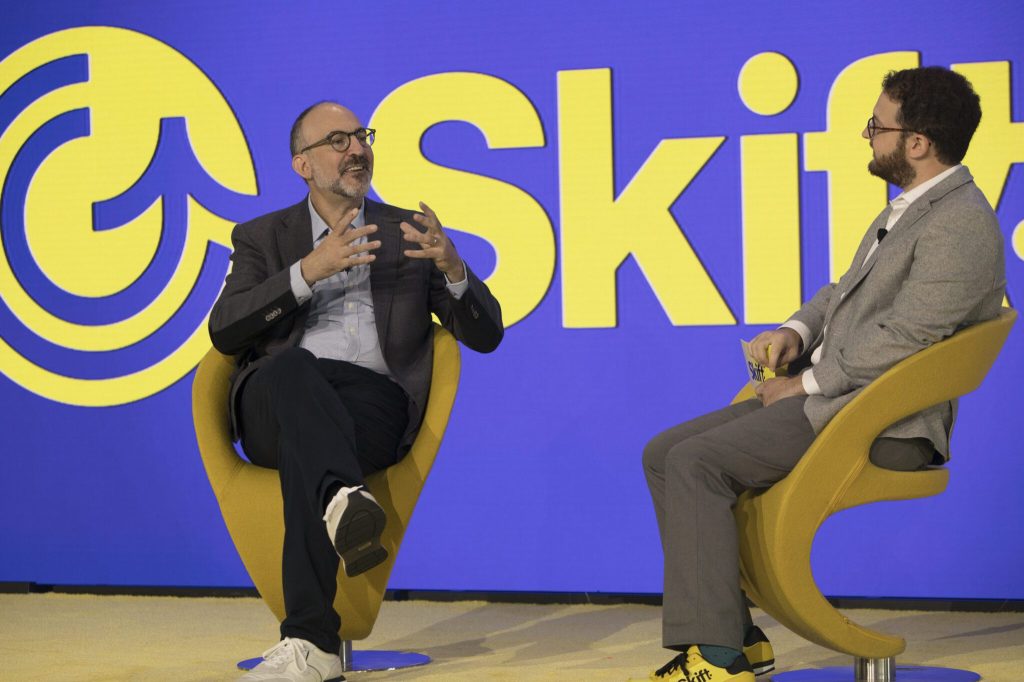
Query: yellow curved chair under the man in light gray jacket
[[778, 527]]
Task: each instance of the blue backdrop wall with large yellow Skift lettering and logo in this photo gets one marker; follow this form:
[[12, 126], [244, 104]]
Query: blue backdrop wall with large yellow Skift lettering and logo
[[644, 186]]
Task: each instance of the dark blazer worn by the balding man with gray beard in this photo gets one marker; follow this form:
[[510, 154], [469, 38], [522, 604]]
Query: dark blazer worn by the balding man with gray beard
[[258, 316]]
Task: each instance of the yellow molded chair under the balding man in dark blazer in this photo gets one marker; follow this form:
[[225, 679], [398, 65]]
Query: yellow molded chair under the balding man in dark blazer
[[250, 499]]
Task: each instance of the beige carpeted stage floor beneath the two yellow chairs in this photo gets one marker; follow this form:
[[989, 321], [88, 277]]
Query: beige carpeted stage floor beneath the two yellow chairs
[[98, 638]]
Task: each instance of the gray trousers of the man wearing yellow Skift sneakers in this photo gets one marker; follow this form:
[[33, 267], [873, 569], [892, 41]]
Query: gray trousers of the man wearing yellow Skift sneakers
[[696, 472]]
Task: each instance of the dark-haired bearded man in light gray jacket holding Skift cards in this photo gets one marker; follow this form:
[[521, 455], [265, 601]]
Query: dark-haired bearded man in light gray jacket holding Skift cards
[[930, 265]]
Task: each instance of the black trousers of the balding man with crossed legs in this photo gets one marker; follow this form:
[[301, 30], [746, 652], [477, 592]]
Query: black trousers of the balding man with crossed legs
[[321, 423]]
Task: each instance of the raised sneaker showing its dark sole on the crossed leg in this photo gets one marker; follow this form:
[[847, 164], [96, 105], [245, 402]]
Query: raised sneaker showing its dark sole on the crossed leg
[[355, 524]]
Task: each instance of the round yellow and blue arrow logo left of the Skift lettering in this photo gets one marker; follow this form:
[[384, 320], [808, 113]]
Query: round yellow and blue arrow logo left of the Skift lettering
[[115, 149]]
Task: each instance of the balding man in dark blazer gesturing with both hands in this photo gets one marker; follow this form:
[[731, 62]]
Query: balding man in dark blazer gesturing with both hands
[[328, 310]]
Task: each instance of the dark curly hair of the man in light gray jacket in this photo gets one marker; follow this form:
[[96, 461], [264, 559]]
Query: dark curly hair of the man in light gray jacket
[[938, 104]]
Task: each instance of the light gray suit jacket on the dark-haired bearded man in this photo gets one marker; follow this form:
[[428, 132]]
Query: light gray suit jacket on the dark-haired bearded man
[[940, 271]]
